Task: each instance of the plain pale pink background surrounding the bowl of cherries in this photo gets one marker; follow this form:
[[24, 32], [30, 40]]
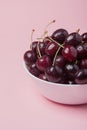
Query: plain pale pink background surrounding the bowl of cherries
[[21, 105]]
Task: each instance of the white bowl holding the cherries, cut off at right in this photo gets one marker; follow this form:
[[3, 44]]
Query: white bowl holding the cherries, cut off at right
[[61, 93]]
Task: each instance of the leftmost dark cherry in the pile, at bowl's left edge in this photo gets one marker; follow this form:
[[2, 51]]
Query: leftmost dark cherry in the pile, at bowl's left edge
[[30, 57]]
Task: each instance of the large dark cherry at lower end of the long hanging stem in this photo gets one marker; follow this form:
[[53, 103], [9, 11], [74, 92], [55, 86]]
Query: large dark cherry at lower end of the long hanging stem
[[52, 74]]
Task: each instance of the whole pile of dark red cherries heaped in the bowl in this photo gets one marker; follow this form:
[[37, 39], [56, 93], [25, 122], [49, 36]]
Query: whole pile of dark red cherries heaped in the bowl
[[59, 58]]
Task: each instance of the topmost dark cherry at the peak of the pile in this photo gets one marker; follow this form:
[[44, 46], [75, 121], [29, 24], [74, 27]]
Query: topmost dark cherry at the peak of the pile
[[60, 35]]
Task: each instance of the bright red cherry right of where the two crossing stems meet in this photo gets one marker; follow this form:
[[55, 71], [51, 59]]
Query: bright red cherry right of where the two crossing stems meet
[[69, 53]]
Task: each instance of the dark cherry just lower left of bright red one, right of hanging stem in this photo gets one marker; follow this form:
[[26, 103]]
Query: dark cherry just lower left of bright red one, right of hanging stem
[[60, 61]]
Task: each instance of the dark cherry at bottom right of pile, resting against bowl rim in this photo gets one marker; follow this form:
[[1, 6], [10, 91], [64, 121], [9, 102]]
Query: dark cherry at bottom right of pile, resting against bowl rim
[[81, 76]]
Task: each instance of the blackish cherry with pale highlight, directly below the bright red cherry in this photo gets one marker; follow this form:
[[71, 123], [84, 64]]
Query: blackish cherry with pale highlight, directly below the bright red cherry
[[71, 70]]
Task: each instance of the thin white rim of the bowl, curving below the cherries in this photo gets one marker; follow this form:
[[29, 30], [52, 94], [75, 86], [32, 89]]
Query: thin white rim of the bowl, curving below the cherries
[[51, 83]]
